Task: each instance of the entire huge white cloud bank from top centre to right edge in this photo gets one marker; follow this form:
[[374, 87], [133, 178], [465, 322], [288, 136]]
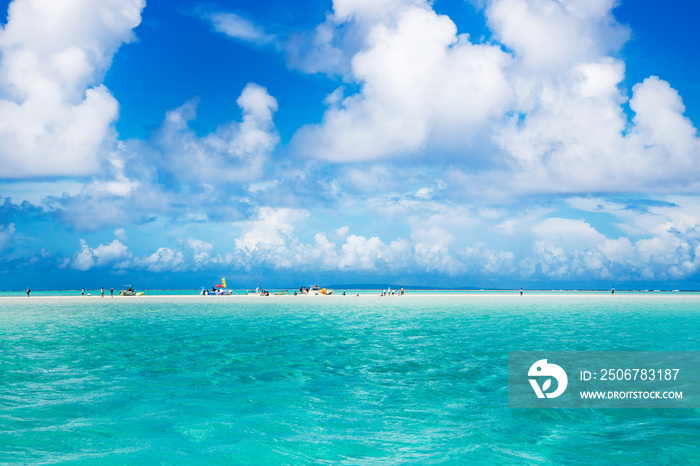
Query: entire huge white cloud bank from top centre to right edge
[[543, 107]]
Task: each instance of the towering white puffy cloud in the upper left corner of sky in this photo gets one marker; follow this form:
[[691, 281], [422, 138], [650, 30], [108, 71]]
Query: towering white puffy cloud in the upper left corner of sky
[[55, 115]]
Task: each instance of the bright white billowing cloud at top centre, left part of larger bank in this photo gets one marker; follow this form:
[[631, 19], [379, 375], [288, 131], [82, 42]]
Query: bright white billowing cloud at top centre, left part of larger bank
[[418, 78]]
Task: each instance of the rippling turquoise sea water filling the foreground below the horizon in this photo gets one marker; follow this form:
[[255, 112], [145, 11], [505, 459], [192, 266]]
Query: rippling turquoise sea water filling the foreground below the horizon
[[418, 379]]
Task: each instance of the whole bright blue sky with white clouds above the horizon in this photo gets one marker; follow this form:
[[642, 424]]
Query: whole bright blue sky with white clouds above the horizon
[[484, 143]]
